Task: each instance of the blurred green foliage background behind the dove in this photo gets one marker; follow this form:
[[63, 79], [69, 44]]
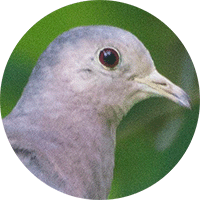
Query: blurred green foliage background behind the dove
[[156, 132]]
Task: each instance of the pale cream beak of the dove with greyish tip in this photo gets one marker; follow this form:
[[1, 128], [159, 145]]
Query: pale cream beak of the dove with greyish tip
[[157, 84]]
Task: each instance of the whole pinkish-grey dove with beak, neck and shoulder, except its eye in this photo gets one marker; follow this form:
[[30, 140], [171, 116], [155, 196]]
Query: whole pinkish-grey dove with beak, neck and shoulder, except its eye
[[63, 127]]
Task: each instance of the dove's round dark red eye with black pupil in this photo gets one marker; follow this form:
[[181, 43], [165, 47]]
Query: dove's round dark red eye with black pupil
[[109, 57]]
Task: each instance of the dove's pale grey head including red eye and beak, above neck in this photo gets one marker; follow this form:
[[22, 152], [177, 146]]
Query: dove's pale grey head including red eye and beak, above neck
[[109, 67]]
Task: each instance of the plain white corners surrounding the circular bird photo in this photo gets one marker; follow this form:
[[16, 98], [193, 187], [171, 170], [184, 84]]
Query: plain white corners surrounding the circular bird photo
[[17, 17]]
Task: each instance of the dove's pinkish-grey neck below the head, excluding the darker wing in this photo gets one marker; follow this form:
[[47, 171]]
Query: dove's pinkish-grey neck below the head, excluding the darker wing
[[84, 139]]
